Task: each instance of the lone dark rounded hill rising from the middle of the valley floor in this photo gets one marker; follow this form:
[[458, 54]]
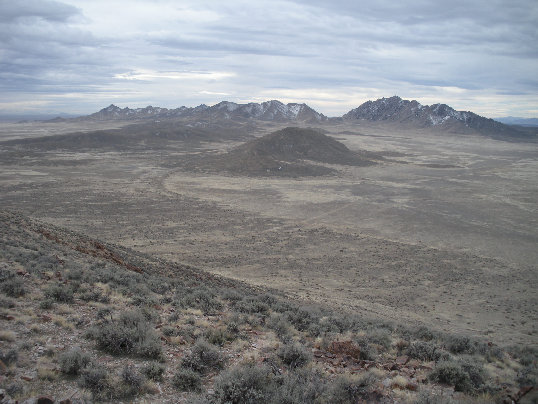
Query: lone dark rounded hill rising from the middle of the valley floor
[[289, 152]]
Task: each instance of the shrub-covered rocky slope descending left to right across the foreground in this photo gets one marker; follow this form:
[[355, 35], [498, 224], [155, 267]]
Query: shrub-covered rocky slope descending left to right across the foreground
[[83, 319]]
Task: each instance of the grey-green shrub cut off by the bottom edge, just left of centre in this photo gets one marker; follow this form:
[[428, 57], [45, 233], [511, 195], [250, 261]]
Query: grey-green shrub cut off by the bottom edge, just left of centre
[[244, 385]]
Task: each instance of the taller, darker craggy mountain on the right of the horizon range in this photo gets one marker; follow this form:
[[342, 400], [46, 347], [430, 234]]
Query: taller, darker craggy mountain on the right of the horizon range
[[439, 116]]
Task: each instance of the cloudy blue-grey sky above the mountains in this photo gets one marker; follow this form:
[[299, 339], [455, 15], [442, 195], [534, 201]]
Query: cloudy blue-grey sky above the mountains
[[78, 56]]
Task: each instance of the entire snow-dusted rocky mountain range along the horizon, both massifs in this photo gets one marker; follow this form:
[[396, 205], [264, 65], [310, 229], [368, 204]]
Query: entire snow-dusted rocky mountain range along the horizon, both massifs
[[410, 114]]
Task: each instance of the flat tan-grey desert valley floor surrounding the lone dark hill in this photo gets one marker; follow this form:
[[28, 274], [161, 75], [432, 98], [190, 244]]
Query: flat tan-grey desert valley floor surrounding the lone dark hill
[[443, 231]]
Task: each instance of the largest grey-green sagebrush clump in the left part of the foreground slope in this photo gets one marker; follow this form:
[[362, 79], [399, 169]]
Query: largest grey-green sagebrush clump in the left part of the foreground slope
[[131, 333]]
